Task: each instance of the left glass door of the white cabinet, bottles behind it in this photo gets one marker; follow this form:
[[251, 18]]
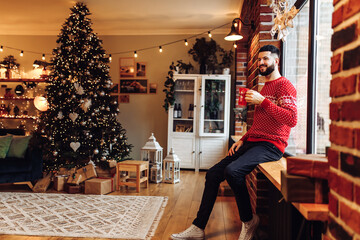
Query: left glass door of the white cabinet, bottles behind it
[[183, 111]]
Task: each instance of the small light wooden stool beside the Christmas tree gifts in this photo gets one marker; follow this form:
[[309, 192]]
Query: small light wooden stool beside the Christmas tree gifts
[[133, 166]]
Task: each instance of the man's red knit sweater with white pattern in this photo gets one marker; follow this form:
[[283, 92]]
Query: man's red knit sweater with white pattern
[[276, 115]]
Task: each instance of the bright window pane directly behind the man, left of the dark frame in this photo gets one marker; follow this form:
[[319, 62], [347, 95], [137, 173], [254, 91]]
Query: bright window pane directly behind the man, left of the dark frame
[[296, 70]]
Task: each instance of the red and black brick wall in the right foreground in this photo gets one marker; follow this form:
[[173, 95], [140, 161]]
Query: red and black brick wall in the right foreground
[[344, 154]]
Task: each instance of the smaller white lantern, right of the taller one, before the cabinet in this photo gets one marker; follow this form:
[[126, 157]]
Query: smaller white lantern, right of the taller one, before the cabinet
[[172, 168]]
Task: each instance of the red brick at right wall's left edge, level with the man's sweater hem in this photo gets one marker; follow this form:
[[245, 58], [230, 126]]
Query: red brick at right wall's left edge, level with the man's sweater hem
[[342, 136]]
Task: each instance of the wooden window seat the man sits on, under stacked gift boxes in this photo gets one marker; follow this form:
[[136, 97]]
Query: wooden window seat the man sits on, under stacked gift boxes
[[310, 211]]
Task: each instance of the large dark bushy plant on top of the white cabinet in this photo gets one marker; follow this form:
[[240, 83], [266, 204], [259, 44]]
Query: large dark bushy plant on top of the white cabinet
[[204, 52]]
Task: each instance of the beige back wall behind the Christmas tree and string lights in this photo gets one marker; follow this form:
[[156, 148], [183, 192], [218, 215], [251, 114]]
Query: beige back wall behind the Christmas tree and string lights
[[144, 114]]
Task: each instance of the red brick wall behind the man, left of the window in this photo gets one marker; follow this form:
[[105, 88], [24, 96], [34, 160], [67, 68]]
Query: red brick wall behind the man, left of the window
[[247, 75]]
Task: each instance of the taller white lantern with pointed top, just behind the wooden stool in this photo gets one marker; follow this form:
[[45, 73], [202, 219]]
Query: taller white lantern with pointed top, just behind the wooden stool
[[153, 152]]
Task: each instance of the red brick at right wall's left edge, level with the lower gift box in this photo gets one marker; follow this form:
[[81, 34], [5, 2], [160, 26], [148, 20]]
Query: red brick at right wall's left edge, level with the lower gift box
[[341, 185]]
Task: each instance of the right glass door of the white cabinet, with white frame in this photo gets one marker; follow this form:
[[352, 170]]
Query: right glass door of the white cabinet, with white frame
[[213, 102]]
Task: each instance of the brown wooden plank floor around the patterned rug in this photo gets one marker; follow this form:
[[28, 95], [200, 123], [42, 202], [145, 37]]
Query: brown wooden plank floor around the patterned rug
[[184, 200]]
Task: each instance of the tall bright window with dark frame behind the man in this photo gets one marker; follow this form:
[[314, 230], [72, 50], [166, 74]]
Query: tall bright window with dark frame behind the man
[[307, 62]]
